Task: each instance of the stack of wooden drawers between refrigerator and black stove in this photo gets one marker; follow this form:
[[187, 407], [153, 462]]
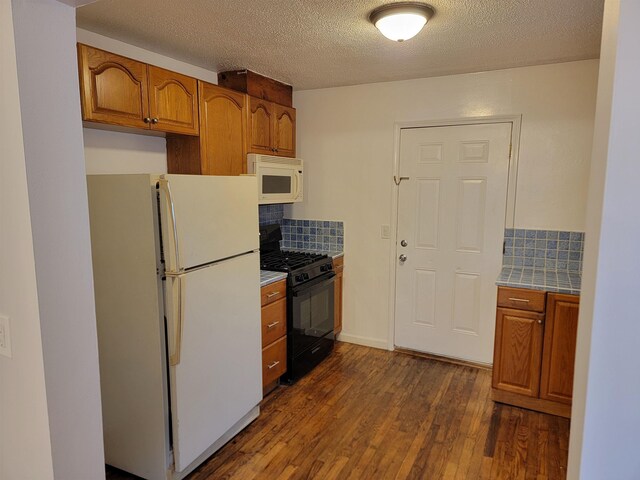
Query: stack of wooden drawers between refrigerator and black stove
[[274, 334]]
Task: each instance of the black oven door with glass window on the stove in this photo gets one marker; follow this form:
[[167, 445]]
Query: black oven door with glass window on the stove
[[311, 313]]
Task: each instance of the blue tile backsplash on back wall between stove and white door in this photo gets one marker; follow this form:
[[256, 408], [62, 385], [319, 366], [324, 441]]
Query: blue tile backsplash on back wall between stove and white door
[[312, 235]]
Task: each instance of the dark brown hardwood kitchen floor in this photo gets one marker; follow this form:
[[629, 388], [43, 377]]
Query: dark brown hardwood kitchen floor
[[371, 414]]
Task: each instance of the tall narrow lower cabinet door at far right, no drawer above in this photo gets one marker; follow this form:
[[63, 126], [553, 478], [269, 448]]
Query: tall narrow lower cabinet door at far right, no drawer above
[[558, 357]]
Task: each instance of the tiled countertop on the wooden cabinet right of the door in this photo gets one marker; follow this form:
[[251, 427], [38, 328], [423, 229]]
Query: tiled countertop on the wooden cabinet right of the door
[[558, 281]]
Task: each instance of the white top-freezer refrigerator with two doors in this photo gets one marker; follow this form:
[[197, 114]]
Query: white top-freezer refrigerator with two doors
[[177, 286]]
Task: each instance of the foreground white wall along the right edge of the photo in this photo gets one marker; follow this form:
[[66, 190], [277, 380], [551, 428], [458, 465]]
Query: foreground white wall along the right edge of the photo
[[606, 414]]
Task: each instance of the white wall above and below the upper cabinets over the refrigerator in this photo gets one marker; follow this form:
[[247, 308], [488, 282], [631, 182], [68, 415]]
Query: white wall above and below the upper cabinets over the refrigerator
[[116, 152]]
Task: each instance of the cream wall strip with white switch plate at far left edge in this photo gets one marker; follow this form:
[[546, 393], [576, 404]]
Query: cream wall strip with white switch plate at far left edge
[[25, 447]]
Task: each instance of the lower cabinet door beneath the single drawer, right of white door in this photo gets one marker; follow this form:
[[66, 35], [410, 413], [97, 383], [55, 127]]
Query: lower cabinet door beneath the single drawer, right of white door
[[518, 351]]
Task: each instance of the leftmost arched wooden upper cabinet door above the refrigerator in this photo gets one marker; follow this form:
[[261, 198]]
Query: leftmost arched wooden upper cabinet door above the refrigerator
[[113, 88]]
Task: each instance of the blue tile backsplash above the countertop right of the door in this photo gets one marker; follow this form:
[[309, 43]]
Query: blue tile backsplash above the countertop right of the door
[[549, 249]]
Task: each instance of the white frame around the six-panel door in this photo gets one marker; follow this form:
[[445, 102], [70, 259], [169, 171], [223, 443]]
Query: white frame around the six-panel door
[[512, 177]]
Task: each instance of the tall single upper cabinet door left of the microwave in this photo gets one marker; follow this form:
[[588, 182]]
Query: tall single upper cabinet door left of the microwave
[[223, 131]]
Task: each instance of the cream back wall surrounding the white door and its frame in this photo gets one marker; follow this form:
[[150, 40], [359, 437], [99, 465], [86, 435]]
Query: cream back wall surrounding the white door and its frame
[[346, 137]]
